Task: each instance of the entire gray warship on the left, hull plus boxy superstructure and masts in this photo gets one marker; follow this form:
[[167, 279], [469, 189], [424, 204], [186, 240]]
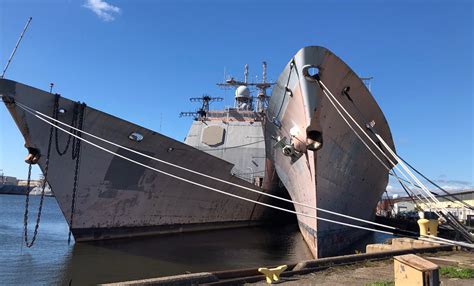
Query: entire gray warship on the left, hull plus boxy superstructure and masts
[[103, 196]]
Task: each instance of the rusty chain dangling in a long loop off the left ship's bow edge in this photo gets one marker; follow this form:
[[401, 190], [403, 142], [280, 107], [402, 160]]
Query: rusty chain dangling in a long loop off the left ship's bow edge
[[27, 201]]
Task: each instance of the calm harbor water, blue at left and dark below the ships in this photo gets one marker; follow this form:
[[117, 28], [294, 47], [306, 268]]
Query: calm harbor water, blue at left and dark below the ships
[[52, 262]]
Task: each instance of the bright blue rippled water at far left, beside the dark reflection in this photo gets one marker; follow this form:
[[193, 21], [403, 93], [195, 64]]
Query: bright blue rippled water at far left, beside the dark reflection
[[44, 263]]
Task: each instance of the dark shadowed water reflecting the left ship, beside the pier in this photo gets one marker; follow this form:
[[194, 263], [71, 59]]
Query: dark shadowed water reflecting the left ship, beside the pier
[[118, 260]]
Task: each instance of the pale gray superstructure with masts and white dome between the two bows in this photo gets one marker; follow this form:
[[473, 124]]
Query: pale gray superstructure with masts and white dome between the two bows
[[234, 134]]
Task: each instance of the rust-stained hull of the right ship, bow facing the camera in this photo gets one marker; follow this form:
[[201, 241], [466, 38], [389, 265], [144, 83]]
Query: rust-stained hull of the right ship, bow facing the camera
[[341, 176]]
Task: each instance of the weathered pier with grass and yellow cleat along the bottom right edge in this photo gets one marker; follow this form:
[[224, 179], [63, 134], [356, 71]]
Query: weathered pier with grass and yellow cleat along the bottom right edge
[[364, 267]]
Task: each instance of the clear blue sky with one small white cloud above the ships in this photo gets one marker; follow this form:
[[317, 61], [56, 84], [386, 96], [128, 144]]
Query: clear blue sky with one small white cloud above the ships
[[142, 60]]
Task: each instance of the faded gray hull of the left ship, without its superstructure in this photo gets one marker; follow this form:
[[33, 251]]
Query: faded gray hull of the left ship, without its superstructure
[[116, 198]]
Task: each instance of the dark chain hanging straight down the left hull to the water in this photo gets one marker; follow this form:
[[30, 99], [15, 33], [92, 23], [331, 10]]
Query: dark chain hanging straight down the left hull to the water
[[76, 152]]
